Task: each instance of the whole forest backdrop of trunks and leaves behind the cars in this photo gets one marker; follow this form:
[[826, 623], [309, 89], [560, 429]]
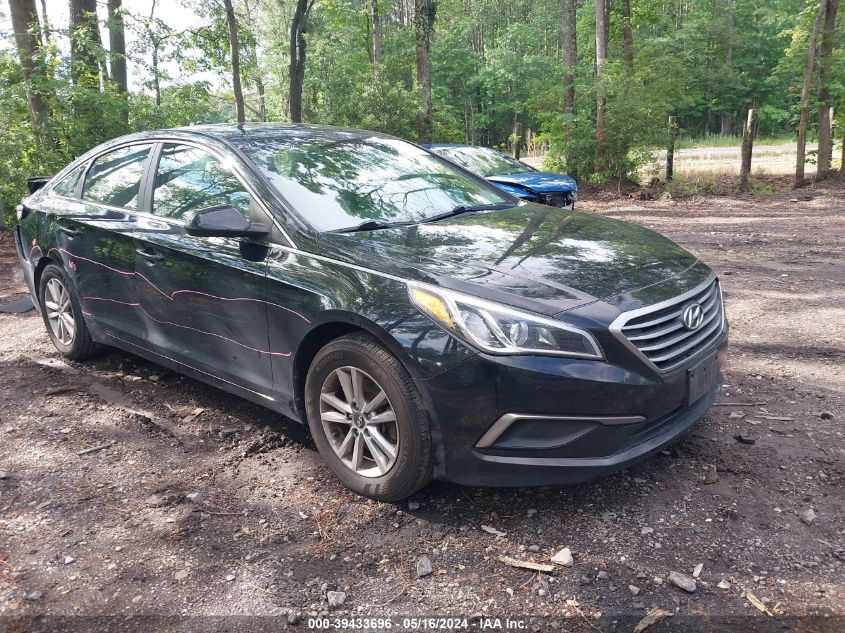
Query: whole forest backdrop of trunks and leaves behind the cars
[[589, 83]]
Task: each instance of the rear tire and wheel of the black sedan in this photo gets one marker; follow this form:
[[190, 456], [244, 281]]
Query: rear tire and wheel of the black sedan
[[75, 344]]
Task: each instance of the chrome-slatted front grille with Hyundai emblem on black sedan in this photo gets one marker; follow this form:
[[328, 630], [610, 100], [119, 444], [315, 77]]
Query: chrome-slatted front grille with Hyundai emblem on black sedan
[[658, 334]]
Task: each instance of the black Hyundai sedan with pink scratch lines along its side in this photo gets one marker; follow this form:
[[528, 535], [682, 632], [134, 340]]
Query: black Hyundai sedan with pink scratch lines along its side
[[422, 322]]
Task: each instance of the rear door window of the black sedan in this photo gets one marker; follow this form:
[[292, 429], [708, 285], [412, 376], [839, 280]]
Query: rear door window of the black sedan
[[115, 178]]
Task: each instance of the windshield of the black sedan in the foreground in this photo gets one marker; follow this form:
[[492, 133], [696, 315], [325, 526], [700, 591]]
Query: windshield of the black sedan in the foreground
[[340, 183]]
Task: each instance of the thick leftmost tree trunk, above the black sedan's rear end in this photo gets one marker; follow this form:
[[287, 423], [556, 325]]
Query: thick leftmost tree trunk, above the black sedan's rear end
[[28, 40]]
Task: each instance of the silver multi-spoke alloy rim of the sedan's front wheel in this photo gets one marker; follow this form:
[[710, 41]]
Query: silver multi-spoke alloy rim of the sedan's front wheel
[[359, 421]]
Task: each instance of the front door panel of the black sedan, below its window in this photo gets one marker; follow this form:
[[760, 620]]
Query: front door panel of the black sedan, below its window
[[203, 302]]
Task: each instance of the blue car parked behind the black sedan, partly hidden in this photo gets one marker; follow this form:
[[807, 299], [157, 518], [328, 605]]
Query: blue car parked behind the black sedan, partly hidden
[[511, 175]]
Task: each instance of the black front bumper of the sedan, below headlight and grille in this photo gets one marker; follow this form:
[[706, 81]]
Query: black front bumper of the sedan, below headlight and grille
[[576, 419]]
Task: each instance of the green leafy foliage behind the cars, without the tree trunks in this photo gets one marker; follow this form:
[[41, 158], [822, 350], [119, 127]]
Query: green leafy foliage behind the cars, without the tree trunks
[[494, 64]]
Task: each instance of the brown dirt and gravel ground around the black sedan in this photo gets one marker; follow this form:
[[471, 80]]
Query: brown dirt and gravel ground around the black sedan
[[201, 504]]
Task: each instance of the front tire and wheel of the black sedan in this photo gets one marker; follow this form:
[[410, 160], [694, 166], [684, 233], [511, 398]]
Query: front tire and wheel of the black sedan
[[369, 367]]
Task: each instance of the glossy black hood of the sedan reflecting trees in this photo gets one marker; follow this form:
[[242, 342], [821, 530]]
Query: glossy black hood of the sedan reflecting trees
[[532, 256]]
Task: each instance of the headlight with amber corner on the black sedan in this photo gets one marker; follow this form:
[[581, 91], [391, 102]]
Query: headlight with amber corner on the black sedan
[[499, 329]]
